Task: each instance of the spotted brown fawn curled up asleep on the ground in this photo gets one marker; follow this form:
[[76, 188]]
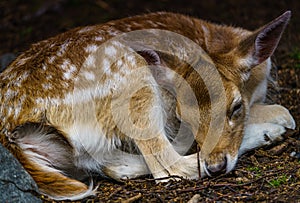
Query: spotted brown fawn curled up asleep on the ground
[[134, 96]]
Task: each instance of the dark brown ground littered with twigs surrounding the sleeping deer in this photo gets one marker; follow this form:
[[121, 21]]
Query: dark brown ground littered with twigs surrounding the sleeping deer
[[271, 174]]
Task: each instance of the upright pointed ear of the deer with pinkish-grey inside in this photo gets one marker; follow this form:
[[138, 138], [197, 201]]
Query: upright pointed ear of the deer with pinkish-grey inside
[[261, 44]]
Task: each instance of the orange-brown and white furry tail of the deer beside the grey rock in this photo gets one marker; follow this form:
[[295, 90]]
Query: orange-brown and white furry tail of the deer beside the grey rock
[[48, 157]]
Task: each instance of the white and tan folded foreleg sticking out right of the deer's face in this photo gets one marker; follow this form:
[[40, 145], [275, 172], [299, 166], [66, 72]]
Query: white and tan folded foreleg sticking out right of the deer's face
[[266, 124]]
